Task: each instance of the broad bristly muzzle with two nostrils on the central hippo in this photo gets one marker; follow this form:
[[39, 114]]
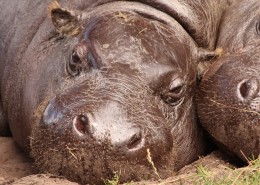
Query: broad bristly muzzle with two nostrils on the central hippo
[[111, 126]]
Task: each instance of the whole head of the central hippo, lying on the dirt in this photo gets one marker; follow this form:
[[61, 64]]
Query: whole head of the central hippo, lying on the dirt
[[120, 98]]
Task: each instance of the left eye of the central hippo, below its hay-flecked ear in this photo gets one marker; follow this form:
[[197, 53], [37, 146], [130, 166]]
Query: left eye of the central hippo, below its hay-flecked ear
[[73, 66]]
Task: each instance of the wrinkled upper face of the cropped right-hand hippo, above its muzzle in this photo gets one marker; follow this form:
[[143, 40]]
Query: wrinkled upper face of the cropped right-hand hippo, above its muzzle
[[240, 26]]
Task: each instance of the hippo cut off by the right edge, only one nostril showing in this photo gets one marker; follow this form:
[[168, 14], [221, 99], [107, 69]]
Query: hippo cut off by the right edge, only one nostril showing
[[228, 95]]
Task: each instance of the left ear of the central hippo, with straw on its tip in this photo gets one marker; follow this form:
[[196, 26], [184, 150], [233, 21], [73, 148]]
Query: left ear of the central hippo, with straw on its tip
[[65, 21]]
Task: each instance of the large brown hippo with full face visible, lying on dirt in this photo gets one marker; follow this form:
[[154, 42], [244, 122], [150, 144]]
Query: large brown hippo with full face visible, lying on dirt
[[96, 89]]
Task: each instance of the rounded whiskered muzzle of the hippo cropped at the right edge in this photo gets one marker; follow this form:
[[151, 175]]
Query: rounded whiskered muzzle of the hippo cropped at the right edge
[[229, 103]]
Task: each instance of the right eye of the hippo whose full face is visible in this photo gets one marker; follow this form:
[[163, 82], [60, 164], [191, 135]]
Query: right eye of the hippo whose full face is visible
[[174, 95]]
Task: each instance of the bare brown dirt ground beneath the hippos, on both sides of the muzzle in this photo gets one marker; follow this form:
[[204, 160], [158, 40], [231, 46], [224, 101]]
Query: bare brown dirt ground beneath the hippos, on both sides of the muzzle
[[17, 169]]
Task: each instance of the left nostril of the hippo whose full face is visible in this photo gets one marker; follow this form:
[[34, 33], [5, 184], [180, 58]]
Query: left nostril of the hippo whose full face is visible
[[81, 125]]
